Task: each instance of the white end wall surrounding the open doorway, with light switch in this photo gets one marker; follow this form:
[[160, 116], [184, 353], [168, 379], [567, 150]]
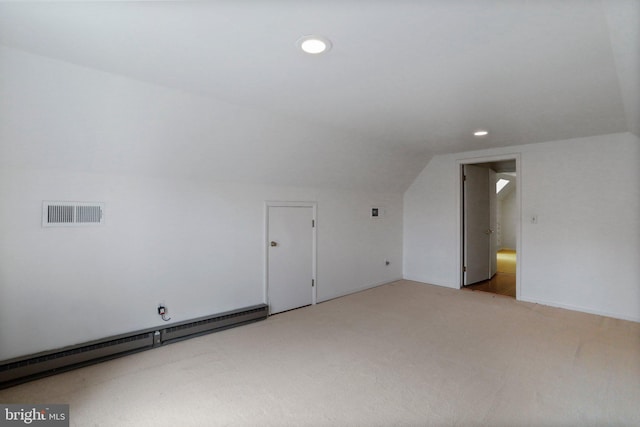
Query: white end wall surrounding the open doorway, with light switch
[[583, 253]]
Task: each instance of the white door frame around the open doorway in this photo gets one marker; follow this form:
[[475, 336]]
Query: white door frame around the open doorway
[[460, 231]]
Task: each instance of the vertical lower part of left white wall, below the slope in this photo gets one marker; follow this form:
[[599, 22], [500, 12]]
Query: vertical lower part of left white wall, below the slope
[[196, 246]]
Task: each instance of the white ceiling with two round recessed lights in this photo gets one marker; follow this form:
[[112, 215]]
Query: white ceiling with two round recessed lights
[[413, 78]]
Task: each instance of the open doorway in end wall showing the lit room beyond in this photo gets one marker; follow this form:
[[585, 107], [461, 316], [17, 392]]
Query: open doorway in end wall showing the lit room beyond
[[489, 227]]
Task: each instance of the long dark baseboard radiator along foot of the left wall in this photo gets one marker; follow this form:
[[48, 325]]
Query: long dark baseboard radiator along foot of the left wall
[[27, 368]]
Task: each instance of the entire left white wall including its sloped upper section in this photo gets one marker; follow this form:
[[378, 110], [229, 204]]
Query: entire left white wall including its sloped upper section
[[185, 180]]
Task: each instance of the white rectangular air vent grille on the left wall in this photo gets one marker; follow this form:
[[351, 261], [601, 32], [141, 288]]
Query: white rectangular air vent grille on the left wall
[[57, 214]]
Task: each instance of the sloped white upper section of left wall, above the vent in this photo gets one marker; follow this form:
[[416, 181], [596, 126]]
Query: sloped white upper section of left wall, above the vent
[[57, 115]]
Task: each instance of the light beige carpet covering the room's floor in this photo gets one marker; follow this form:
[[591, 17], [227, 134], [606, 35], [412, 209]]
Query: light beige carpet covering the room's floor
[[401, 354]]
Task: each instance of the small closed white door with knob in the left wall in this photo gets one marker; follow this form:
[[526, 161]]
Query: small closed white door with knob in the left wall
[[290, 257]]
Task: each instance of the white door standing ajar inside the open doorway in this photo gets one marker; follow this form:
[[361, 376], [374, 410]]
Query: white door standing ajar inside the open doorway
[[477, 224]]
